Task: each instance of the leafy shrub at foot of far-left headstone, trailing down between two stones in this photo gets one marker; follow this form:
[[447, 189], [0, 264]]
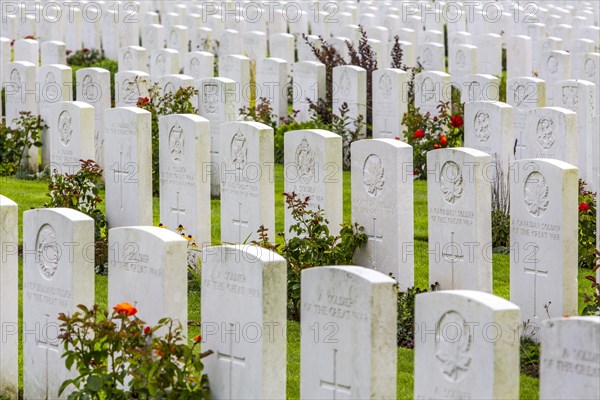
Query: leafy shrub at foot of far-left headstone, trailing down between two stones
[[80, 192]]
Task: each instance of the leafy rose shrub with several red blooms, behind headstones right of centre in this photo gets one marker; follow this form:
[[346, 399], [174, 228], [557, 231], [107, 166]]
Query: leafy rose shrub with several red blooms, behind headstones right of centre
[[426, 133]]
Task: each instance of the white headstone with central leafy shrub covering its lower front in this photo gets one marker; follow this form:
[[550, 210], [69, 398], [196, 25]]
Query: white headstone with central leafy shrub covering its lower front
[[313, 168]]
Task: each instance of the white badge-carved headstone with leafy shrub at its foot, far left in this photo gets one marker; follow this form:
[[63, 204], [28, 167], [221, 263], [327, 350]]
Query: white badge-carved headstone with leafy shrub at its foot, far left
[[71, 132]]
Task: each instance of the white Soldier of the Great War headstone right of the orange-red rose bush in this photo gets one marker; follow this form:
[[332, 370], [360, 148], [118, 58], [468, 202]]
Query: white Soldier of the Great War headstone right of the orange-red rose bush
[[248, 341]]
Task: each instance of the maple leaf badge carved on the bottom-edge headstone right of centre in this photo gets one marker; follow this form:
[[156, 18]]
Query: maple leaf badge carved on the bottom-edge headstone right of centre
[[452, 346]]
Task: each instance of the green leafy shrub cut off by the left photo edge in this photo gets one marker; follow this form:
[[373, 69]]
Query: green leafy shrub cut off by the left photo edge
[[14, 142]]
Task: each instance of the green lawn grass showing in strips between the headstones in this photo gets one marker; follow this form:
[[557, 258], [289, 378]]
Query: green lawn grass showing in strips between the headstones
[[31, 194]]
